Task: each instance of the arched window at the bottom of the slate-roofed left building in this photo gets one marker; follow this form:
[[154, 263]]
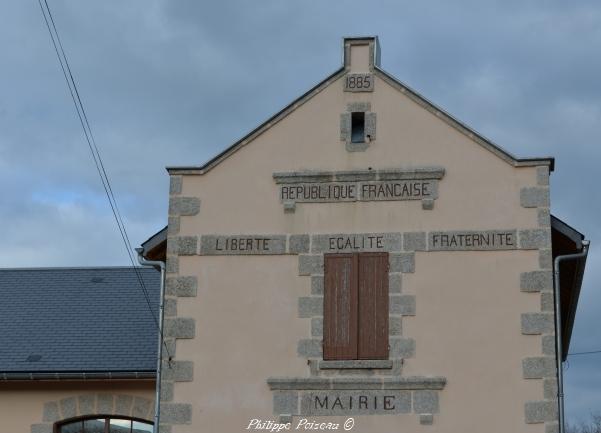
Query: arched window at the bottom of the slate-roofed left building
[[104, 424]]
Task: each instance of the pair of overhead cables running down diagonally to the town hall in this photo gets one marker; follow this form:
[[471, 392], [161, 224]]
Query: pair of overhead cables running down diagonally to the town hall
[[87, 130]]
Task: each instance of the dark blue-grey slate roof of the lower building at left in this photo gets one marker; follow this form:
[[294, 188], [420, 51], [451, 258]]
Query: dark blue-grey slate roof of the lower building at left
[[78, 320]]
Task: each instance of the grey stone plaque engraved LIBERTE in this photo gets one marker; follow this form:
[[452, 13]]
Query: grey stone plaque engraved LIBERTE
[[242, 244]]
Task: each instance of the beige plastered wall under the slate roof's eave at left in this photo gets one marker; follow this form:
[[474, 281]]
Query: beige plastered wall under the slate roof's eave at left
[[27, 406]]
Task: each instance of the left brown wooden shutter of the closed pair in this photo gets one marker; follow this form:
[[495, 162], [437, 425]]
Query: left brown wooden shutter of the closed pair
[[340, 306]]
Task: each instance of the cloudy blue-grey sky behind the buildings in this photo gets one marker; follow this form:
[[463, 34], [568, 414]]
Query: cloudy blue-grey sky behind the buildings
[[174, 82]]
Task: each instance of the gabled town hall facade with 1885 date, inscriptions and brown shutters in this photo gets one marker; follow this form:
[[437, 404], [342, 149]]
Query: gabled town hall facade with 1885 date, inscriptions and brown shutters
[[363, 255]]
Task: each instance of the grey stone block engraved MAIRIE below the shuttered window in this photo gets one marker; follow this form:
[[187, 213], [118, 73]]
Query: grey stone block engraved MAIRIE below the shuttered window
[[373, 402]]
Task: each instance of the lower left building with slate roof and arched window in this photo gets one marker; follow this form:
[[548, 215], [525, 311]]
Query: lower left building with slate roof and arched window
[[78, 349]]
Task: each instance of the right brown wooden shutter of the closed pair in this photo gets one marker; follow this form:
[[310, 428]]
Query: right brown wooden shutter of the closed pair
[[373, 306]]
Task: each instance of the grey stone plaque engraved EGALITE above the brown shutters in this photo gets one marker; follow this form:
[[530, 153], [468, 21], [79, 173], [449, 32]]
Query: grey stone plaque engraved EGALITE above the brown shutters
[[356, 242]]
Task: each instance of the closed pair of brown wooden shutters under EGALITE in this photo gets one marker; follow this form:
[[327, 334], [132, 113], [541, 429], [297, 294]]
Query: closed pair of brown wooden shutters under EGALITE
[[355, 306]]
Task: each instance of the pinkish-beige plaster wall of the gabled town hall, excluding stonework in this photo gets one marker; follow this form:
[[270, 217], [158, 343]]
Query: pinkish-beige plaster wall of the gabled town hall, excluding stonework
[[467, 323]]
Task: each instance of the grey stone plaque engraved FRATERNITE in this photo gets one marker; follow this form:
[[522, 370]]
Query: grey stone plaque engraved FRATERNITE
[[472, 240]]
